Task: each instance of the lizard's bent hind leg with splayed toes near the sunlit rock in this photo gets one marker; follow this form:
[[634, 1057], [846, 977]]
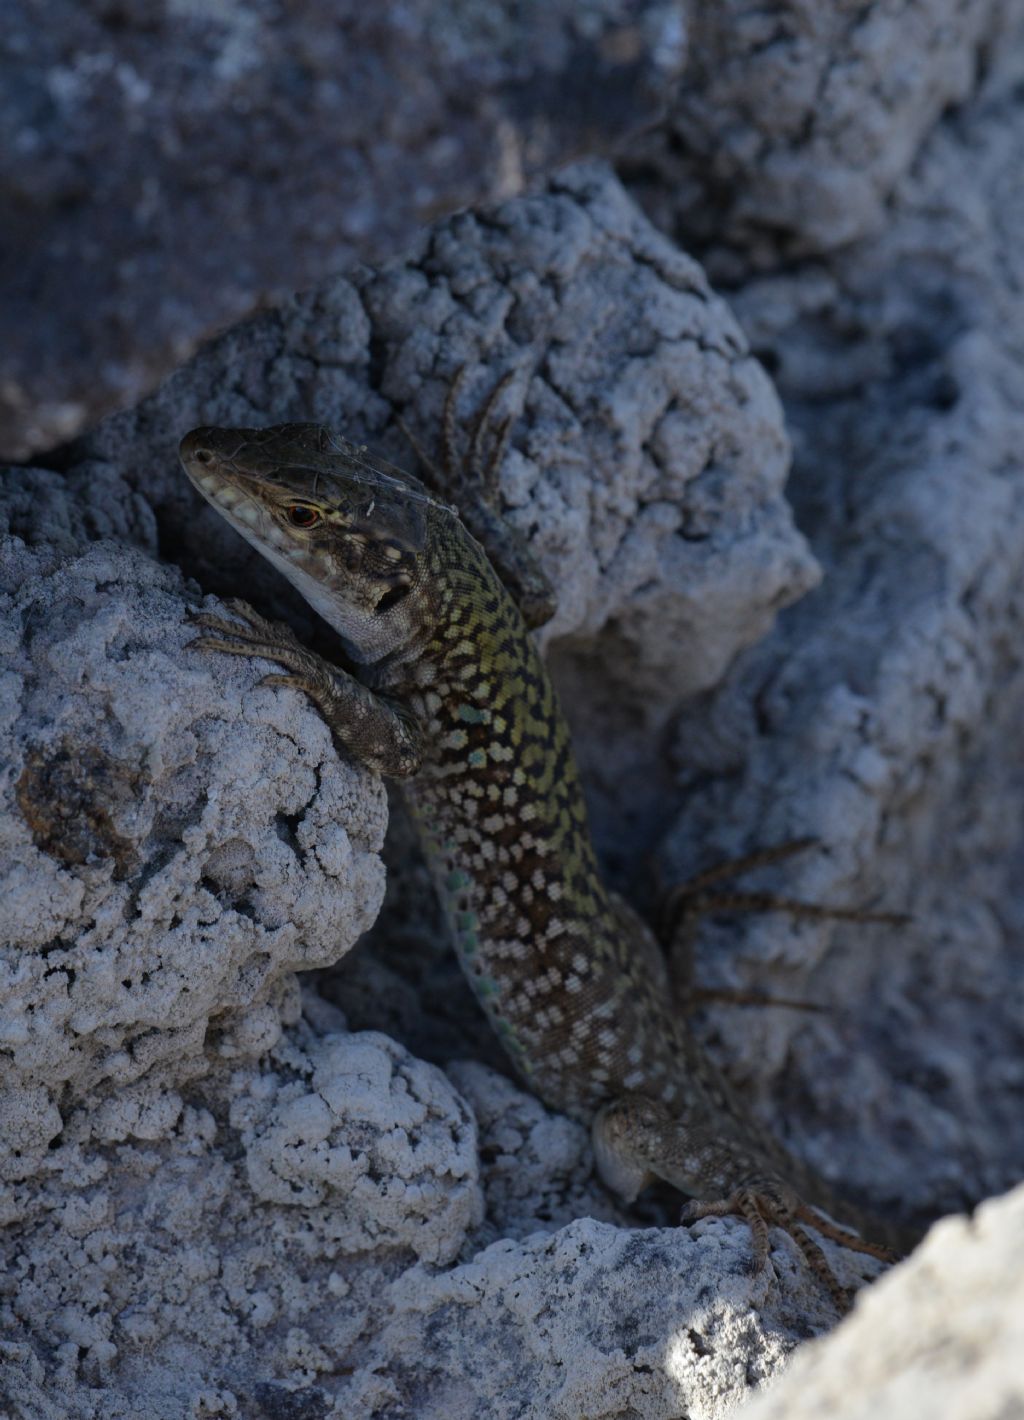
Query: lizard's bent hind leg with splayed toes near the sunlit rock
[[638, 1141]]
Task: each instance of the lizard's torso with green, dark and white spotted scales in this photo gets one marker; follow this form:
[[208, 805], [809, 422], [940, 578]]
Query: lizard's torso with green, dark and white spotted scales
[[503, 819]]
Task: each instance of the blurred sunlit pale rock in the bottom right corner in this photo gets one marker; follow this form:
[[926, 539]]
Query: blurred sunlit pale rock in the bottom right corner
[[941, 1340]]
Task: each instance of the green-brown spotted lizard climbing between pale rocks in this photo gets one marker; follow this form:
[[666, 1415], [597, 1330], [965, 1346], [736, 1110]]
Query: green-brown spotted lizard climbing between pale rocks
[[448, 695]]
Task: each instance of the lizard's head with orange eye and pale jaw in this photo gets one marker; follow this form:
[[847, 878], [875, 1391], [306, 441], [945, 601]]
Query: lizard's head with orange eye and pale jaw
[[349, 530]]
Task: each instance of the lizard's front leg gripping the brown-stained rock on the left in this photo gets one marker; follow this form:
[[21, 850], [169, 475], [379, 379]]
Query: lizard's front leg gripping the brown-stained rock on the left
[[373, 731]]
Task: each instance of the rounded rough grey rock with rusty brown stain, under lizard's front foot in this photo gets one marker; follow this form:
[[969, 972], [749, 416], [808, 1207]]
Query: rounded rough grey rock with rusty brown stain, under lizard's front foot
[[175, 843]]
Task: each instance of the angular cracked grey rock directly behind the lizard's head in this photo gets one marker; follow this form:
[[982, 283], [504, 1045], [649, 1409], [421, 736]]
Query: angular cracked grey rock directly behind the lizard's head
[[647, 468]]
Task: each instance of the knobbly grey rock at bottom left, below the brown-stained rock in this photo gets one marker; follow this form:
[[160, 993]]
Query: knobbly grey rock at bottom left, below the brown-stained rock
[[178, 1257]]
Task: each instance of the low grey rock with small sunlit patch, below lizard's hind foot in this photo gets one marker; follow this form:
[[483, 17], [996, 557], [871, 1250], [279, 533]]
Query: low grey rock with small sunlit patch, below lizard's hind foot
[[593, 1321]]
